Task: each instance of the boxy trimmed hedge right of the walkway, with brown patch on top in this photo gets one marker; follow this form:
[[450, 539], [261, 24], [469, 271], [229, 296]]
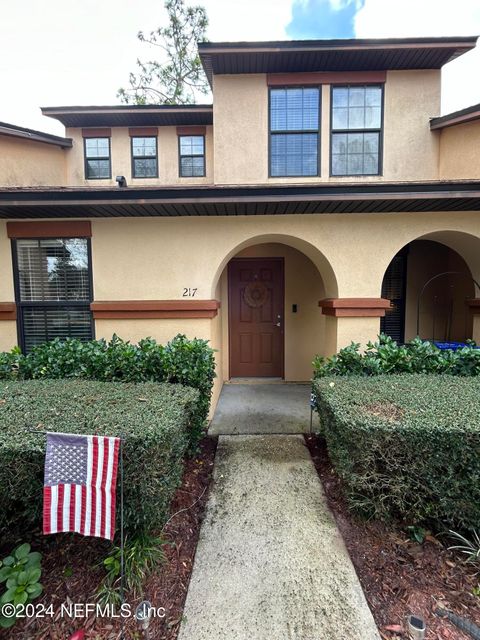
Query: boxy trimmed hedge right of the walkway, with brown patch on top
[[405, 446]]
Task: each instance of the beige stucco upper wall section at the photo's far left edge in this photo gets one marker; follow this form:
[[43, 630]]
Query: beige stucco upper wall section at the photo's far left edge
[[24, 163]]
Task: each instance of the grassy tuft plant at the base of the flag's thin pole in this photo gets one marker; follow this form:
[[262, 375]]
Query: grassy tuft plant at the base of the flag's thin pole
[[142, 555]]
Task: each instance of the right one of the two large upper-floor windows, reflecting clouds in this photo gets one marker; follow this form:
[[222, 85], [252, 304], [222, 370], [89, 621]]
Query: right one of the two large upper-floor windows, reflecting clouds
[[356, 130]]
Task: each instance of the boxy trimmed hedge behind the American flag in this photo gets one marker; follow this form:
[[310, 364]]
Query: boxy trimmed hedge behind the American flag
[[153, 418]]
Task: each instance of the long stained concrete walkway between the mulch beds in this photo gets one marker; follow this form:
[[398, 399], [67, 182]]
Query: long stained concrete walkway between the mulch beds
[[270, 562]]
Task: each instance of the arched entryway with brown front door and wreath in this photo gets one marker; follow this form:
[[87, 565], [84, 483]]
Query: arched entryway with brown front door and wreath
[[271, 324]]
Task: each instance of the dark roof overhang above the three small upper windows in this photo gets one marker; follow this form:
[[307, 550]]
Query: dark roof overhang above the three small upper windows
[[132, 115]]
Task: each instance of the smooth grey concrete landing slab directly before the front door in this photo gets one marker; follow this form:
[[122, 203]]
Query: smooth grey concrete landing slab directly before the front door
[[262, 408]]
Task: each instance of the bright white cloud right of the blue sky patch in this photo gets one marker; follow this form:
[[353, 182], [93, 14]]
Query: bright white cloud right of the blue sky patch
[[403, 18]]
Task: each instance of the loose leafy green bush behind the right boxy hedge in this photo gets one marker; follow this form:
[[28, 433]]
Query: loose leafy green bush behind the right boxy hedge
[[386, 356]]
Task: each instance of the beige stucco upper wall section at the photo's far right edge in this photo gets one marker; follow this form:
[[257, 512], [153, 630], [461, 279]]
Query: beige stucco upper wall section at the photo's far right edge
[[460, 152]]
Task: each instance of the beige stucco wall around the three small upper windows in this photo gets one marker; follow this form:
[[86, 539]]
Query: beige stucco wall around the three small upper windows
[[121, 159]]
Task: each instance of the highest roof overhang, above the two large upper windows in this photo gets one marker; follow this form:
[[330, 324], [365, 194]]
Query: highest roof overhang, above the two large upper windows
[[331, 55]]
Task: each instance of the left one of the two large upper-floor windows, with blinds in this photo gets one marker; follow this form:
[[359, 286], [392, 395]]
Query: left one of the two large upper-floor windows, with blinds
[[294, 115]]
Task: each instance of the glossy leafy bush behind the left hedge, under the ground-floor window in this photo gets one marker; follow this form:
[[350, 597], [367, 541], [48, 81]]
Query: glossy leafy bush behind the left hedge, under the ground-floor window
[[188, 362]]
